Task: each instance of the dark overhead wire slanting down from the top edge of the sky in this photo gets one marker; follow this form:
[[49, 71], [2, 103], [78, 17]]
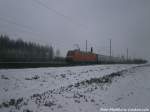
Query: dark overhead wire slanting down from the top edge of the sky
[[58, 13]]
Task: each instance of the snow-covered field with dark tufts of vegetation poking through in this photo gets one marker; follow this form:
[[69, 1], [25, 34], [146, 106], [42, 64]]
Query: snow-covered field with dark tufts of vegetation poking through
[[74, 89]]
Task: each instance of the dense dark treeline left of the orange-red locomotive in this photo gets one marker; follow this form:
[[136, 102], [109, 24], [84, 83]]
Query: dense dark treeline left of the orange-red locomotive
[[19, 50]]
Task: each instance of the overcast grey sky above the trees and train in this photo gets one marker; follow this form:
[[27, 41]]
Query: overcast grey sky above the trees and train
[[64, 23]]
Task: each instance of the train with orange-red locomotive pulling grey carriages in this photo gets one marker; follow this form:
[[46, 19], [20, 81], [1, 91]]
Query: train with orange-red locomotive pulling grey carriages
[[83, 57]]
